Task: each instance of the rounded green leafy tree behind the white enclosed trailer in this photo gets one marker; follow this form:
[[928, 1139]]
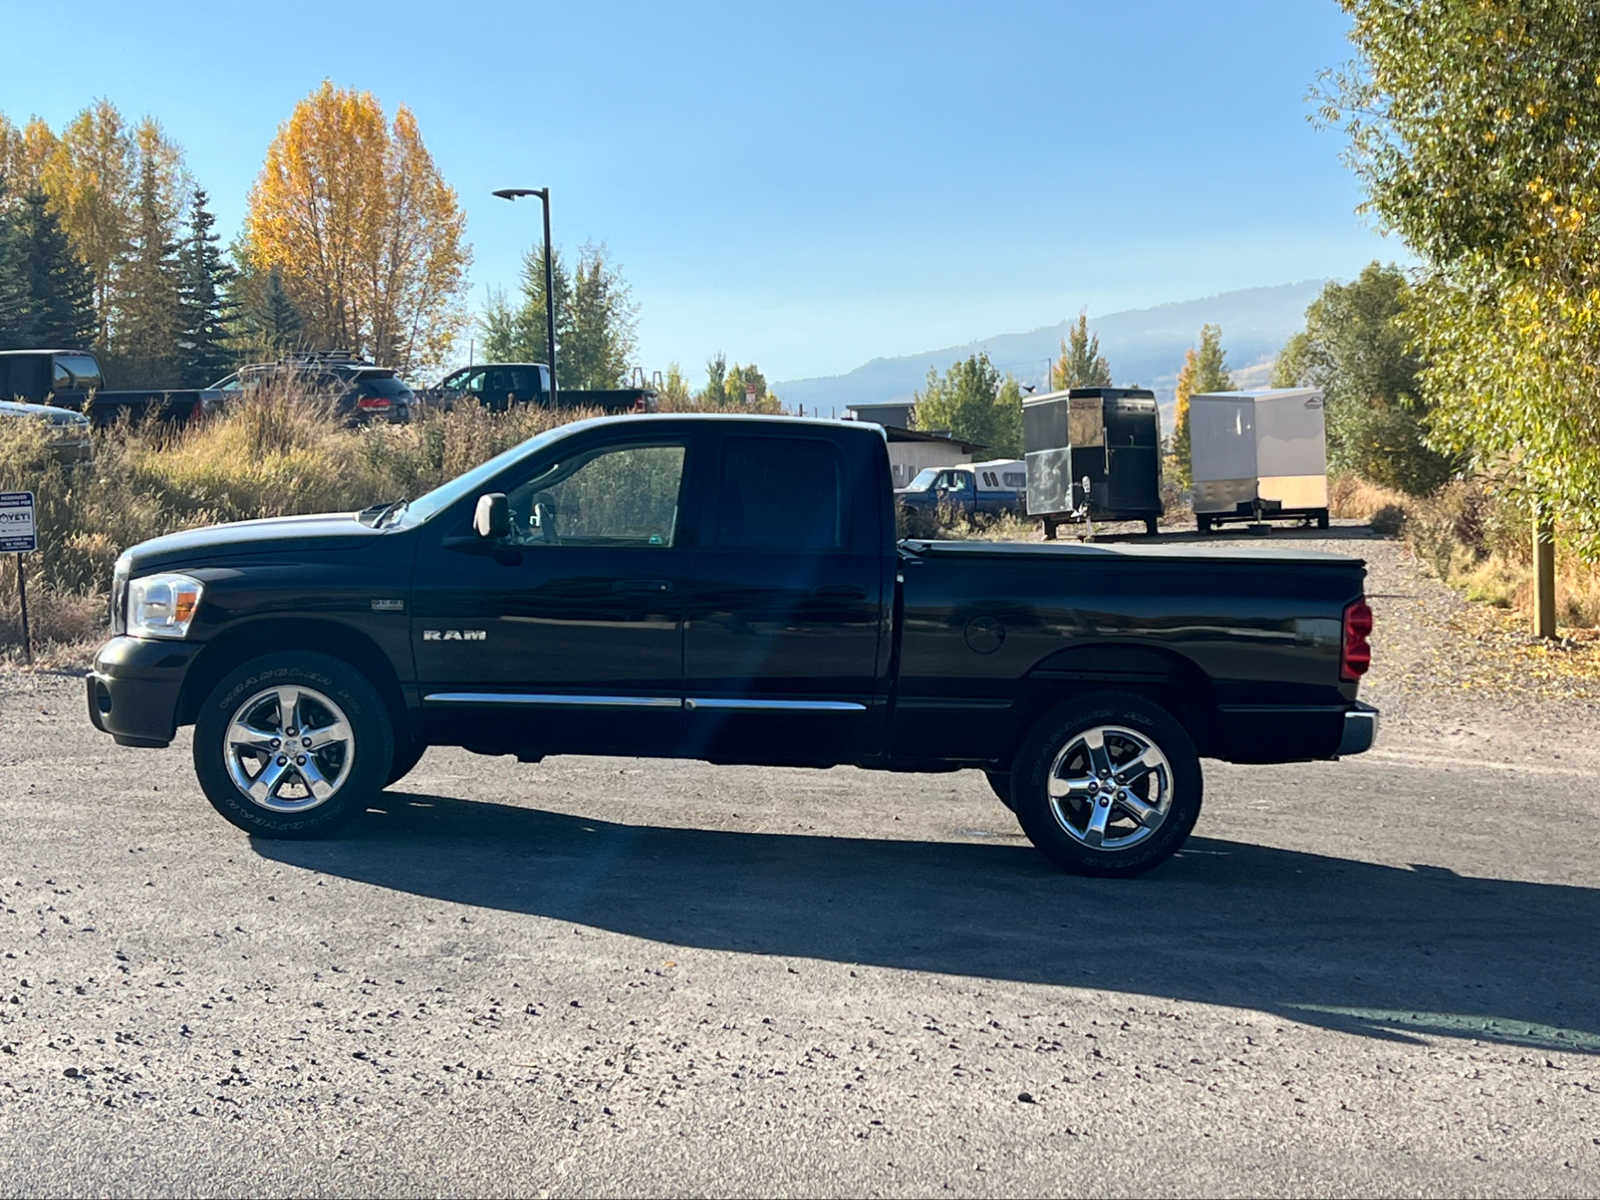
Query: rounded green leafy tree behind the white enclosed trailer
[[1356, 346]]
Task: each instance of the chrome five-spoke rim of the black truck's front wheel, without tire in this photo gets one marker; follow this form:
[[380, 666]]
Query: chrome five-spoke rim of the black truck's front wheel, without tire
[[289, 750]]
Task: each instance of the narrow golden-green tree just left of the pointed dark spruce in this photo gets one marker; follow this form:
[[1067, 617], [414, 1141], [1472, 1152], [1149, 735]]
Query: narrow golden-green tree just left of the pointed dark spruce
[[151, 292]]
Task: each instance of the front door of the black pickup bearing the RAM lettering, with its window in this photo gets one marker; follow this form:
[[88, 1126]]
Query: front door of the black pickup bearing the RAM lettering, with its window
[[569, 631]]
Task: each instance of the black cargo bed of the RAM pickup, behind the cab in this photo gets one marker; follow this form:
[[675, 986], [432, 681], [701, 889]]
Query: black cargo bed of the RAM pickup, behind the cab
[[1225, 631]]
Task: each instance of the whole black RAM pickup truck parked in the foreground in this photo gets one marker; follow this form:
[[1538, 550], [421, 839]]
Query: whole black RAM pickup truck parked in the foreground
[[655, 586]]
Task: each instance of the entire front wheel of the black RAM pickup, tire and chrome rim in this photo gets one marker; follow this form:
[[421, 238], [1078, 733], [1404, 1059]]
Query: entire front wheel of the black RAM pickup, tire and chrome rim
[[292, 745]]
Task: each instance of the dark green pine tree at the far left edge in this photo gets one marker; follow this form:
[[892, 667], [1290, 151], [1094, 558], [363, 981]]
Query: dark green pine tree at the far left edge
[[55, 305]]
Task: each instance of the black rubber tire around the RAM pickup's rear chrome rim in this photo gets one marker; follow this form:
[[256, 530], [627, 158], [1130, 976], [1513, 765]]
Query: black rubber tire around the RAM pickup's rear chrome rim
[[1132, 721]]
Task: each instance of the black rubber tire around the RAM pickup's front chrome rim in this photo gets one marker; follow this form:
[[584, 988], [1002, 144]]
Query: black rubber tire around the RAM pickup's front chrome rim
[[369, 753]]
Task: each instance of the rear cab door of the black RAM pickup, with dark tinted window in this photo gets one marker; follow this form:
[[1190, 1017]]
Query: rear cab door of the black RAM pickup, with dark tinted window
[[783, 620]]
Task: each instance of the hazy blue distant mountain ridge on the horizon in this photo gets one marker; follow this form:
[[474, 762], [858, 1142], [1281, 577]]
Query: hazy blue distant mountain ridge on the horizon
[[1143, 346]]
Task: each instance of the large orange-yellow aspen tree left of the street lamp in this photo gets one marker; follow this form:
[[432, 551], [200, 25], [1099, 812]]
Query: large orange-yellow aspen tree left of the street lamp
[[362, 230]]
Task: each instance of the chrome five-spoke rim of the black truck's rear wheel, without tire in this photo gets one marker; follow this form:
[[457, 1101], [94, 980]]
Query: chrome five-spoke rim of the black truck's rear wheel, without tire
[[1111, 788]]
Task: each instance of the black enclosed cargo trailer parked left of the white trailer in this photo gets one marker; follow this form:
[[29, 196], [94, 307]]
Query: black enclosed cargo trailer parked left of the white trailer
[[1108, 436]]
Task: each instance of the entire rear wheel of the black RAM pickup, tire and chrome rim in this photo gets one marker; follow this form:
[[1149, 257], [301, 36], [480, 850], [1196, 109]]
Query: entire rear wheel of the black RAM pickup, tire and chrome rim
[[1108, 785]]
